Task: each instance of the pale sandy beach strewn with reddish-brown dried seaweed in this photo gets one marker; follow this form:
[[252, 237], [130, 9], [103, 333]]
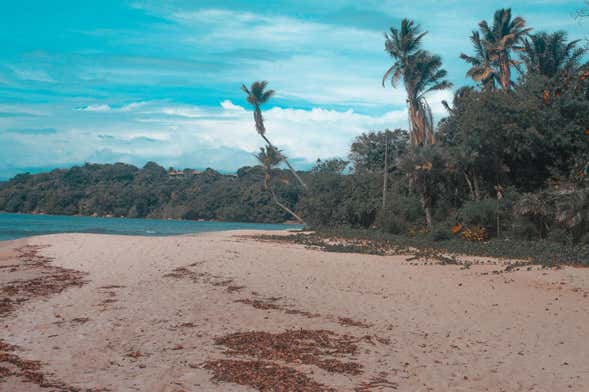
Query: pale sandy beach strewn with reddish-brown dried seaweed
[[171, 313]]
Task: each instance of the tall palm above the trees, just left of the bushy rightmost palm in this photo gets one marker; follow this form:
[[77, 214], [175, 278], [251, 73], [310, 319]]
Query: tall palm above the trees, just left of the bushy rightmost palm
[[500, 39]]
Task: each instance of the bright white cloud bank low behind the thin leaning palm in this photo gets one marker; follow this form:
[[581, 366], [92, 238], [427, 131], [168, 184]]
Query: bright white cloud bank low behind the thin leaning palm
[[302, 134]]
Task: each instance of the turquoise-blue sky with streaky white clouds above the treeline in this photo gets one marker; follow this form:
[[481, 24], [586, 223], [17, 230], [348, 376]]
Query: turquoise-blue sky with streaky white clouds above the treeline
[[106, 81]]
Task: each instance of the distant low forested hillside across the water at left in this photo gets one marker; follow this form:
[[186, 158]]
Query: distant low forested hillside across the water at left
[[124, 190]]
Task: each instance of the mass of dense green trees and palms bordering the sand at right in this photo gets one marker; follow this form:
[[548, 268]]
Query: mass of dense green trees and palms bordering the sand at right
[[510, 160]]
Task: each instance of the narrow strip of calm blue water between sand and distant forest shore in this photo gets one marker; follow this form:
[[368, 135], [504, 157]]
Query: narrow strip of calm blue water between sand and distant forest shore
[[14, 226]]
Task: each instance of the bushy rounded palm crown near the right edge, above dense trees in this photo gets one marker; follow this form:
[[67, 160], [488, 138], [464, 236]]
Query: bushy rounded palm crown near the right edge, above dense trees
[[550, 55]]
